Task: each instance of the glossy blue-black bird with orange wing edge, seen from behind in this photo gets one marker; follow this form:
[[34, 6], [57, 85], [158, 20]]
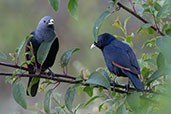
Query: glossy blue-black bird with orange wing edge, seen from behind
[[119, 58]]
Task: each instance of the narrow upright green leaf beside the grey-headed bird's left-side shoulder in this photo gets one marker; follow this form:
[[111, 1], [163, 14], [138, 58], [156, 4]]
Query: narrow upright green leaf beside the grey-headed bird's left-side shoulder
[[20, 47]]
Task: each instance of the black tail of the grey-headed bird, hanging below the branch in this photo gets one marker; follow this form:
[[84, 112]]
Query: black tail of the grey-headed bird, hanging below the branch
[[33, 87]]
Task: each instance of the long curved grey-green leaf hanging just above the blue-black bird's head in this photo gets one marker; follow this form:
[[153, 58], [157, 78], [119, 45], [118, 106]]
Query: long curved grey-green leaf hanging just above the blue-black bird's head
[[98, 23]]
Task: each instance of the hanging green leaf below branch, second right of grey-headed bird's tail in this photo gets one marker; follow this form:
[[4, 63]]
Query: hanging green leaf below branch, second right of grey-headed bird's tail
[[69, 97]]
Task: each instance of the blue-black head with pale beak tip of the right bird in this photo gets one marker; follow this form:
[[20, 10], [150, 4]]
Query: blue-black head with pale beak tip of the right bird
[[103, 40]]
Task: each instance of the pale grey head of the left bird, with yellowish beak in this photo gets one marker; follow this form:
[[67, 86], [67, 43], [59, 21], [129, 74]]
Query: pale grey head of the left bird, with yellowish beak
[[46, 22]]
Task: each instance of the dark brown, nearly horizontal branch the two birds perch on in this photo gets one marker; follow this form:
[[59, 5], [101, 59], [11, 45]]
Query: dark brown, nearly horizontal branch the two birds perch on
[[59, 78]]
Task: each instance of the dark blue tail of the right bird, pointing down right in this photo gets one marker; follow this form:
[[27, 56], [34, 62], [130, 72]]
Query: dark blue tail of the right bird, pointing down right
[[135, 80]]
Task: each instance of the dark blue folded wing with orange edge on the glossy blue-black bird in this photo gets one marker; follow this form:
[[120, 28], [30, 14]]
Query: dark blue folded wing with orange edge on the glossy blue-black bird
[[122, 56]]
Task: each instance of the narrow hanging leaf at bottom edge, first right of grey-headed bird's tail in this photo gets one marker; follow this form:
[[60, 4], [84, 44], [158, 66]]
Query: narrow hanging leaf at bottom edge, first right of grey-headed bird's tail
[[47, 100]]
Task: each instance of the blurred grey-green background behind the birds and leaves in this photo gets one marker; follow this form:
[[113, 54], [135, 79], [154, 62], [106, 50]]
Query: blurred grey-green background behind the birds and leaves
[[20, 17]]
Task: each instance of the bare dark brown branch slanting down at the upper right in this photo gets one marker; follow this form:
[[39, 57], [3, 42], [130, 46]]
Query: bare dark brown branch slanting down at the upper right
[[139, 17]]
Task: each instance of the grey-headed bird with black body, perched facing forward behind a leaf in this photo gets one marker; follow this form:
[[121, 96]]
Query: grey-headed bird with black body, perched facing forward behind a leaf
[[45, 32]]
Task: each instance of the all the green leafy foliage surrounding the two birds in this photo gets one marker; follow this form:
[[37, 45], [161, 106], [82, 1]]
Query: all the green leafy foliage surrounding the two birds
[[155, 66]]
